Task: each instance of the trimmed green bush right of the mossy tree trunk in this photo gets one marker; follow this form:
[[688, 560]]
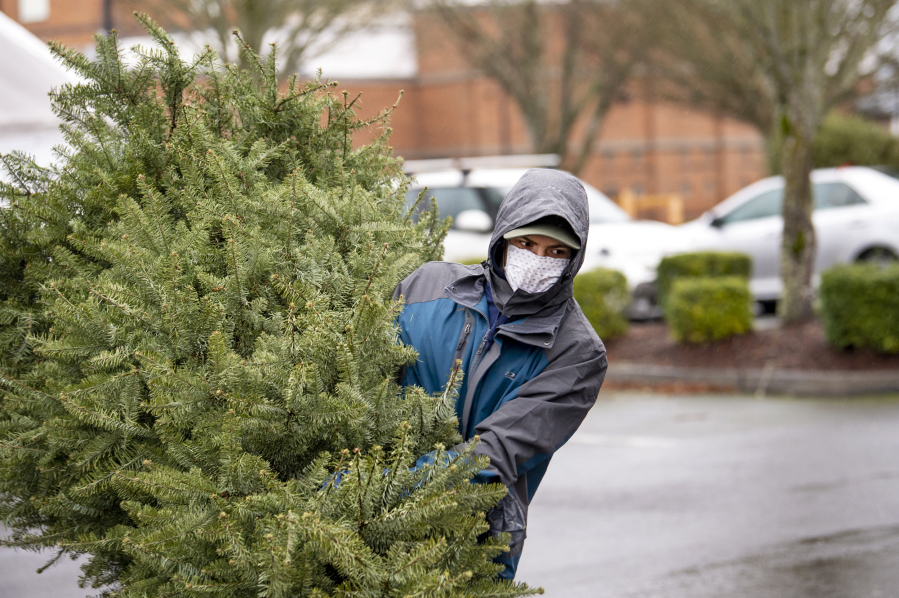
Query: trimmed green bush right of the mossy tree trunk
[[860, 306]]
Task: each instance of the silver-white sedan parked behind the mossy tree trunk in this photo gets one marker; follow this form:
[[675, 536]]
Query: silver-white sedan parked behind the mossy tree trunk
[[856, 218]]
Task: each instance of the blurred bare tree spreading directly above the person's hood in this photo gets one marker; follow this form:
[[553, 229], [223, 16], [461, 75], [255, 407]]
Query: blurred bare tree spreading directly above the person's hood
[[563, 62]]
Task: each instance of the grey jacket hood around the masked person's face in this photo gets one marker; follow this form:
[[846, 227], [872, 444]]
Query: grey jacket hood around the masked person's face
[[537, 194]]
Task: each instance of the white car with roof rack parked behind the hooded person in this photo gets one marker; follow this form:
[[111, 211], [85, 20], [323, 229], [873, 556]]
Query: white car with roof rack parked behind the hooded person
[[616, 241]]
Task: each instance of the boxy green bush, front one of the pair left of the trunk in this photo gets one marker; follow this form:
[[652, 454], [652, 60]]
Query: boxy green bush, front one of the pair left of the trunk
[[704, 309]]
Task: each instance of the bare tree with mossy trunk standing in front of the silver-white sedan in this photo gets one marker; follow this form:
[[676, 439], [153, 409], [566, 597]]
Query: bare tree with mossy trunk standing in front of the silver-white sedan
[[781, 65]]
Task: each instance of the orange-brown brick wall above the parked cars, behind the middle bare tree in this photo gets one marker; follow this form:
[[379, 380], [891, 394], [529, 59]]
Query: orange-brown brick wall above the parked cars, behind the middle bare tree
[[649, 147]]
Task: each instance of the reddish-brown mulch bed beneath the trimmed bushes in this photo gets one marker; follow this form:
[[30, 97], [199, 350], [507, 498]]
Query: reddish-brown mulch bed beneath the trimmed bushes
[[795, 347]]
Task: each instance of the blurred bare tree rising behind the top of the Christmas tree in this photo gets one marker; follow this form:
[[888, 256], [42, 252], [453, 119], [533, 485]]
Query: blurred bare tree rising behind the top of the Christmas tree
[[300, 27]]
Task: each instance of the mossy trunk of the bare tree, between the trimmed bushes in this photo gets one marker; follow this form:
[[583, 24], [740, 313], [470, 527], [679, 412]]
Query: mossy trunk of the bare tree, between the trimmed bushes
[[797, 254]]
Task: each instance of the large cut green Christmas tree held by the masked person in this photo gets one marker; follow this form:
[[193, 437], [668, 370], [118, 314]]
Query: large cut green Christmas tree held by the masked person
[[198, 349]]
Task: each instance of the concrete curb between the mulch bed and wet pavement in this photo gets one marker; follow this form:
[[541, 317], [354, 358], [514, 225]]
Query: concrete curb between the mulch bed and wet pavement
[[762, 381]]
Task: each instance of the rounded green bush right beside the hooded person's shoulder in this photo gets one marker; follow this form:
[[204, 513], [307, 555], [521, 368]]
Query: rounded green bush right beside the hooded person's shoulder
[[603, 297]]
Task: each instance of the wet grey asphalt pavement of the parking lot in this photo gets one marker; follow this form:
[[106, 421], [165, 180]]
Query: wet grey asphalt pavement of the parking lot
[[692, 497]]
